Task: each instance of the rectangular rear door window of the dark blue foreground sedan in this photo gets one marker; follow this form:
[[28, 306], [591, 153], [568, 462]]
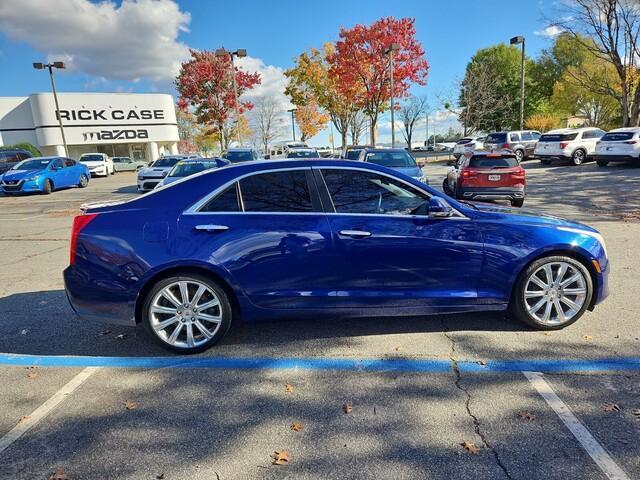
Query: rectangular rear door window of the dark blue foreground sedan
[[285, 191]]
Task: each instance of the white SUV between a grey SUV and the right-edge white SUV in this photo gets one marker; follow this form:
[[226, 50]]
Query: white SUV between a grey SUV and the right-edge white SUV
[[577, 145]]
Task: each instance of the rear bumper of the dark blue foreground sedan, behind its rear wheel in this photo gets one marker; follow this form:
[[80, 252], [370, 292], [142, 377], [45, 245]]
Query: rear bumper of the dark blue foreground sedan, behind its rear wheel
[[92, 303]]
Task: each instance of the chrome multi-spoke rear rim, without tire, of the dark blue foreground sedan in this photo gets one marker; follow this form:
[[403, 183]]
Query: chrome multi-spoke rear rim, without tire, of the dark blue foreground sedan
[[185, 314]]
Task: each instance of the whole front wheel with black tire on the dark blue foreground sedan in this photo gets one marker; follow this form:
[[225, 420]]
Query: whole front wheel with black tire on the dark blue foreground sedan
[[524, 309]]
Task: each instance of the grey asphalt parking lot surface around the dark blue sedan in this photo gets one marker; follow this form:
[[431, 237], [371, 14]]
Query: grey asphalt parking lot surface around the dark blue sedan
[[105, 402]]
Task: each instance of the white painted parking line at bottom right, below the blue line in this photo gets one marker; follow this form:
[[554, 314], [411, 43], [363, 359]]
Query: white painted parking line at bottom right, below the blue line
[[582, 434]]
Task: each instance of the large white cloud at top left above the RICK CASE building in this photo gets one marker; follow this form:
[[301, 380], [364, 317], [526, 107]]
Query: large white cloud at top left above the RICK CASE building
[[137, 39]]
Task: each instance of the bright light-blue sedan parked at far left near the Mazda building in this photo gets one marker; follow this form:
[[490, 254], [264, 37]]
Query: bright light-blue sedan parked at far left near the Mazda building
[[44, 175]]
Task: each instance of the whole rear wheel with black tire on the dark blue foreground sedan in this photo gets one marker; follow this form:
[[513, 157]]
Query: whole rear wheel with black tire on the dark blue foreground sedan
[[187, 318]]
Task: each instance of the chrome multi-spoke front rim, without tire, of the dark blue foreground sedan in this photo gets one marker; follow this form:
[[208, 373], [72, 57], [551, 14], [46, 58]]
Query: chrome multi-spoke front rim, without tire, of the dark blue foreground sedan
[[555, 293]]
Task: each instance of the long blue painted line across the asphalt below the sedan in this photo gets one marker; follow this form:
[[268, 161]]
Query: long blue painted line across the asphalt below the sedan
[[370, 365]]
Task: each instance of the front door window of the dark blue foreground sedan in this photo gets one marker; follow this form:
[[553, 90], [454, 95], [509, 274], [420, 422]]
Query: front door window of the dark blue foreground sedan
[[354, 191]]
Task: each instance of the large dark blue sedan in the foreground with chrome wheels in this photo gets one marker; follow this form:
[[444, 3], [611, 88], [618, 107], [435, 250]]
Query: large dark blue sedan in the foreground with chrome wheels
[[276, 239]]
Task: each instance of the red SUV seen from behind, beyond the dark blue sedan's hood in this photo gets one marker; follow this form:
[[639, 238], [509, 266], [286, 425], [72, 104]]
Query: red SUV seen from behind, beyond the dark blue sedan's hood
[[483, 175]]
